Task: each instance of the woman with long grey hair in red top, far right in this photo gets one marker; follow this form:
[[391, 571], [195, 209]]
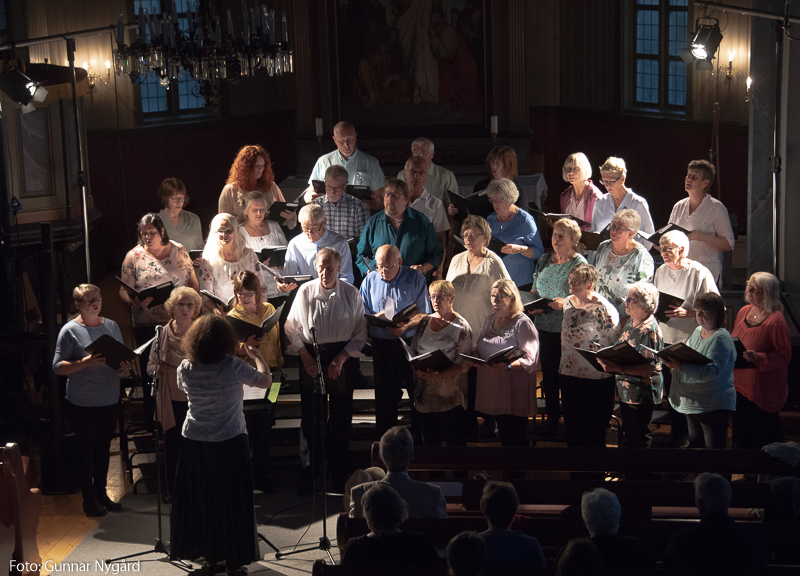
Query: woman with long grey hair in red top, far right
[[762, 390]]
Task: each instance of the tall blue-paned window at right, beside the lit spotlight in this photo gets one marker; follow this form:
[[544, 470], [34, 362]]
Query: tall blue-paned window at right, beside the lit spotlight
[[657, 80]]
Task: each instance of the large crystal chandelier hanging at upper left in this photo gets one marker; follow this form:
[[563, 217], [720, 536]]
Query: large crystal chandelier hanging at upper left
[[168, 51]]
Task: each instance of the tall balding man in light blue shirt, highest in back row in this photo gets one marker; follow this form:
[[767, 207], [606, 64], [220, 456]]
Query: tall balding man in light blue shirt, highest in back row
[[362, 169]]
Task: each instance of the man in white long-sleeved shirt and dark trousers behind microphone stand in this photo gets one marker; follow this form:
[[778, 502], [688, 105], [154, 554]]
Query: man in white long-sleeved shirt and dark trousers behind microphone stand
[[334, 310]]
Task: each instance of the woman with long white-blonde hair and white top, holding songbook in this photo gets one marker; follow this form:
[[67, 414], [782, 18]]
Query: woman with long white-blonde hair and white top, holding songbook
[[224, 256]]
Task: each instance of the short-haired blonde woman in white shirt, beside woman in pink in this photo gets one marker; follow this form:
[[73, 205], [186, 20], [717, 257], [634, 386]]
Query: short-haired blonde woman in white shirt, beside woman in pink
[[614, 173]]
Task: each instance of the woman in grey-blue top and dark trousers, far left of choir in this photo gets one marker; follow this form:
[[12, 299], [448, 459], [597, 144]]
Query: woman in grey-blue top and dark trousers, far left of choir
[[92, 400]]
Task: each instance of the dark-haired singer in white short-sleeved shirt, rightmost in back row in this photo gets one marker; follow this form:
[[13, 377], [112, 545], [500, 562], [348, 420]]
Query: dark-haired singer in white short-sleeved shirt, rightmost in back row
[[705, 217]]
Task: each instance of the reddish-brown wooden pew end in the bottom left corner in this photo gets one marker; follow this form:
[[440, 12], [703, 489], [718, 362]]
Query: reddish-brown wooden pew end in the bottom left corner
[[20, 507]]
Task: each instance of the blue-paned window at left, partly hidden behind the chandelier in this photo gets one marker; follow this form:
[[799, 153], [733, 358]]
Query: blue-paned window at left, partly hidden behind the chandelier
[[157, 102]]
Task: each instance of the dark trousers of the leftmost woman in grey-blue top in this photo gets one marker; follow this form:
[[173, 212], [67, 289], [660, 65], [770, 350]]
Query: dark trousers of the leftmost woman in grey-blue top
[[94, 427]]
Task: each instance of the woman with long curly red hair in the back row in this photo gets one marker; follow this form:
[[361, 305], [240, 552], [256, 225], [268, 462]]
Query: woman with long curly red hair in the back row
[[251, 171]]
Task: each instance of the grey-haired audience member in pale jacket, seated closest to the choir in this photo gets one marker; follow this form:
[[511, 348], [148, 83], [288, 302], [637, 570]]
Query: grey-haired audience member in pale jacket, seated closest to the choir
[[423, 500]]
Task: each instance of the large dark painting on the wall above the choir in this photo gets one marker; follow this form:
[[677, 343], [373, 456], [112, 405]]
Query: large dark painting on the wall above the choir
[[411, 61]]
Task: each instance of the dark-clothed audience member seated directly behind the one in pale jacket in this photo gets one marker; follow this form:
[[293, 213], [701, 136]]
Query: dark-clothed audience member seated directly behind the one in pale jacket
[[386, 544]]
